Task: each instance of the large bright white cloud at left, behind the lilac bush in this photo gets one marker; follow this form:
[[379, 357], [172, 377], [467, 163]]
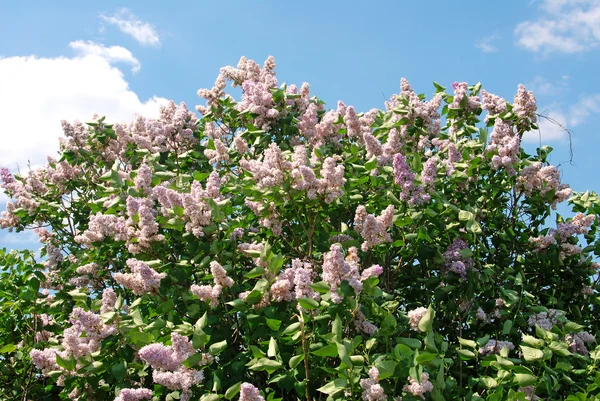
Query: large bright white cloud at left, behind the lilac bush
[[37, 93]]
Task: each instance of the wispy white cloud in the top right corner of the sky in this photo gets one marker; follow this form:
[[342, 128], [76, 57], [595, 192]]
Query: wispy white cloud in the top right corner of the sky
[[567, 26]]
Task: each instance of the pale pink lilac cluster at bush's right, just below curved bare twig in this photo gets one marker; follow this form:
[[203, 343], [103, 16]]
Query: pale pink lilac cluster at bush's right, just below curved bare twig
[[537, 178]]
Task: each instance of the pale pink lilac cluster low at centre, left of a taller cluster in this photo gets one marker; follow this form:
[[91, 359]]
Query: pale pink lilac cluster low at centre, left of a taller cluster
[[294, 283]]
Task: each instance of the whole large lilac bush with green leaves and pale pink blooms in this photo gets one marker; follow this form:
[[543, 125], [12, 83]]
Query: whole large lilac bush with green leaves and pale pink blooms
[[273, 250]]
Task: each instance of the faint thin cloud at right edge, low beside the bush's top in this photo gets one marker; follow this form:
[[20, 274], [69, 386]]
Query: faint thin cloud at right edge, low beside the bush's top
[[552, 129]]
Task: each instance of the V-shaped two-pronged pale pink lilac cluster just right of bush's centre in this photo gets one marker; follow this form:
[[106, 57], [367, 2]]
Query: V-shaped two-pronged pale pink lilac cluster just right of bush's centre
[[373, 229]]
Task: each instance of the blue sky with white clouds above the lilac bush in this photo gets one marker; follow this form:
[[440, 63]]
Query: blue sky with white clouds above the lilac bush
[[70, 59]]
